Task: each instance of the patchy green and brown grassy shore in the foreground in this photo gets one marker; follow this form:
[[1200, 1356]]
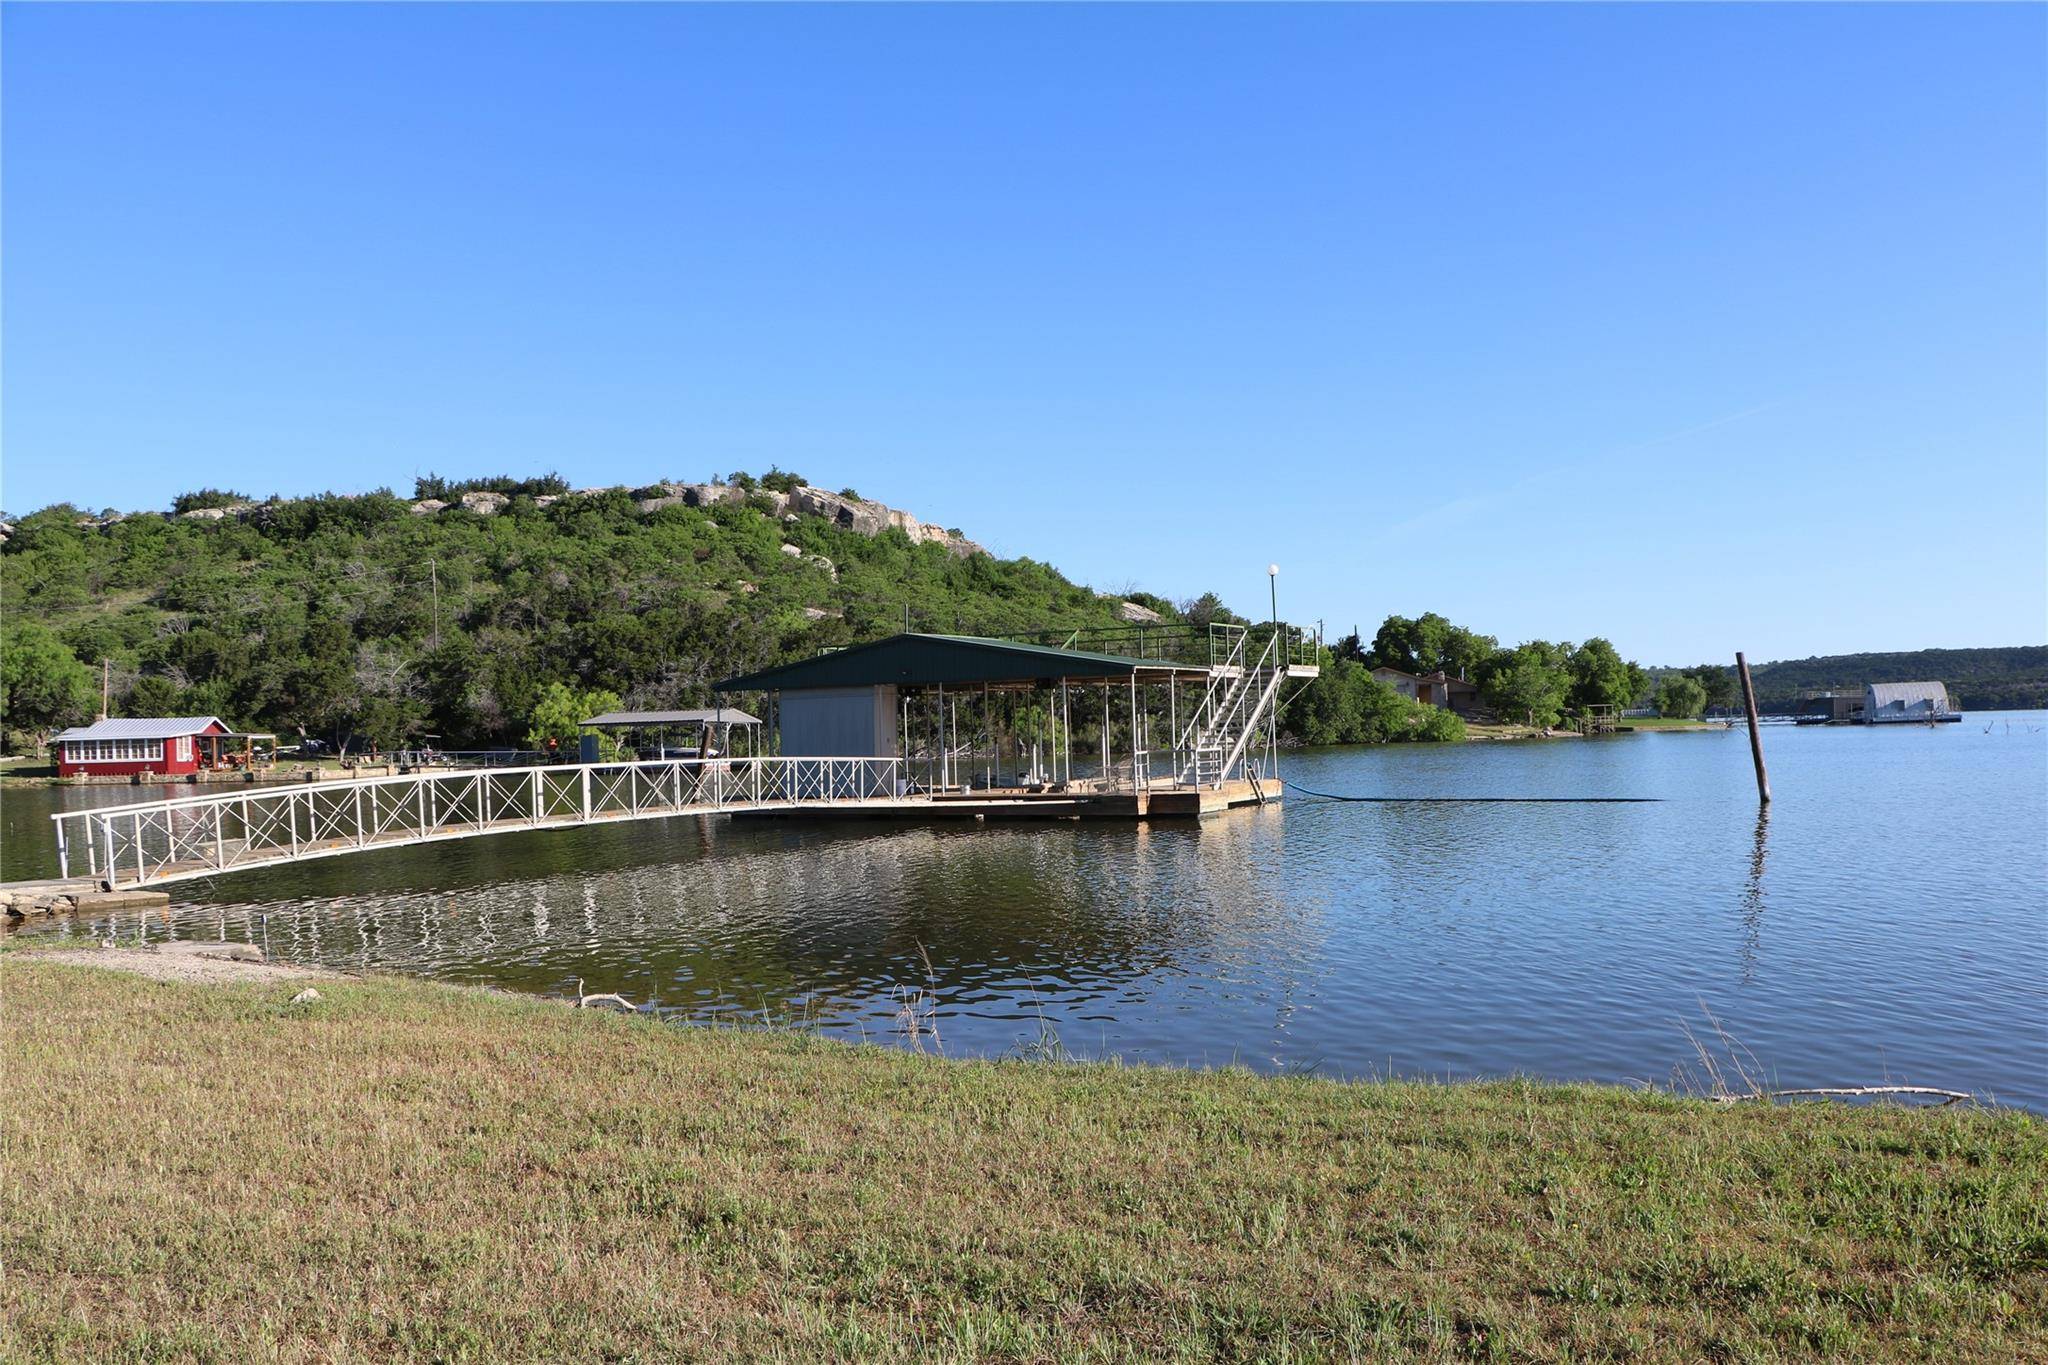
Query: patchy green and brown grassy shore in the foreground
[[409, 1172]]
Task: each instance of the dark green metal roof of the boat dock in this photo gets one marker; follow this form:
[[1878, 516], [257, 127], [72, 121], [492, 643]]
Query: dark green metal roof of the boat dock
[[945, 660]]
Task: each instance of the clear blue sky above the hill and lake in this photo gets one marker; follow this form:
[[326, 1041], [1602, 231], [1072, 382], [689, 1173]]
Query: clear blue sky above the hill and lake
[[1701, 328]]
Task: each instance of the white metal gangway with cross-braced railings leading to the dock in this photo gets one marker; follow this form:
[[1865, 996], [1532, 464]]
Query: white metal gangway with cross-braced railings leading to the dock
[[155, 842]]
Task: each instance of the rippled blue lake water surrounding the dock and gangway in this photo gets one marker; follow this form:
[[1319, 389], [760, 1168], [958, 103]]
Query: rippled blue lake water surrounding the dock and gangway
[[1887, 922]]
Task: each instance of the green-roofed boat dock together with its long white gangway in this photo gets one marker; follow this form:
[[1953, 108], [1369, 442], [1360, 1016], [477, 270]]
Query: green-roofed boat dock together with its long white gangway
[[910, 728]]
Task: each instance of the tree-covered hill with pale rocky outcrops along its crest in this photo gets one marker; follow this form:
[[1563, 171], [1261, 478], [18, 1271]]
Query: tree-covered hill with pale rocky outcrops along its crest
[[380, 619]]
